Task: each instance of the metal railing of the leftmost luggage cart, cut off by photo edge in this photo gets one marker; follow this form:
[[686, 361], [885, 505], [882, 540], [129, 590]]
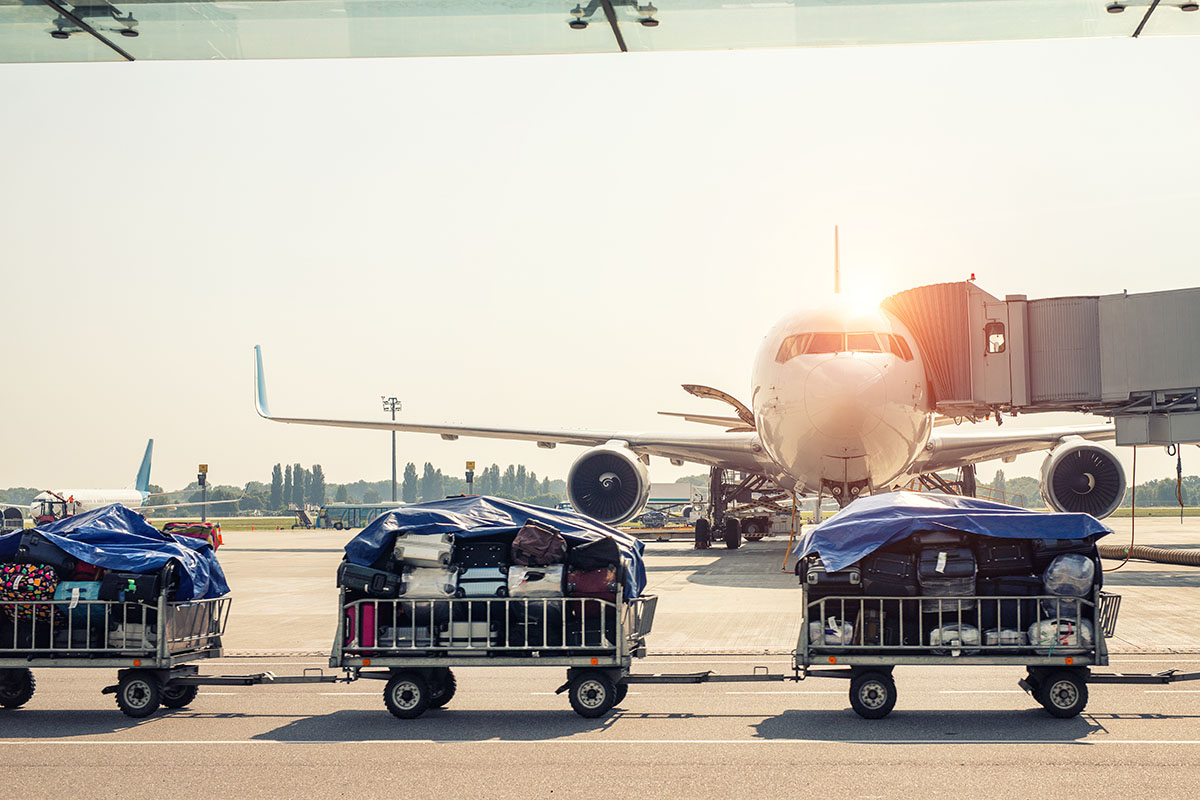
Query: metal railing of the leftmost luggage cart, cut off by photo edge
[[106, 634]]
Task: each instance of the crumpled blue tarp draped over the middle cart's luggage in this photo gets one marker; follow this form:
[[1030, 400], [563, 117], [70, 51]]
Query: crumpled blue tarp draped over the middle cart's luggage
[[473, 518]]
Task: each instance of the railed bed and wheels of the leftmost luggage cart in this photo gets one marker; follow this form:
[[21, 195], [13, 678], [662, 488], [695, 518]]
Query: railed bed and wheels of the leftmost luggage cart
[[154, 647]]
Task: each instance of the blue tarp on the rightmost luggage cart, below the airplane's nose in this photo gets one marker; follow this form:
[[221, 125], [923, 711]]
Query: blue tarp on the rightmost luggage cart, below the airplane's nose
[[869, 524]]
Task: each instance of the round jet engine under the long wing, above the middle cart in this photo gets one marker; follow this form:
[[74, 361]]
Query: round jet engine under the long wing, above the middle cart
[[609, 484]]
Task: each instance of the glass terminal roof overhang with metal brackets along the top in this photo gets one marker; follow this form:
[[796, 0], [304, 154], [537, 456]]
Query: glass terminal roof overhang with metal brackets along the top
[[95, 31]]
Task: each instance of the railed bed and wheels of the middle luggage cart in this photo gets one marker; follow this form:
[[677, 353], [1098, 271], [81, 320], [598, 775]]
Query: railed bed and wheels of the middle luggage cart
[[417, 643]]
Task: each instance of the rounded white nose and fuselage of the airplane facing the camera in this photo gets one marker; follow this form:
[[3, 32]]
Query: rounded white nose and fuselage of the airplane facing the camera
[[841, 400]]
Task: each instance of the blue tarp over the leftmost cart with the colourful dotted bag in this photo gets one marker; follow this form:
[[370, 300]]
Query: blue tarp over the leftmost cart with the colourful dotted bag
[[117, 538]]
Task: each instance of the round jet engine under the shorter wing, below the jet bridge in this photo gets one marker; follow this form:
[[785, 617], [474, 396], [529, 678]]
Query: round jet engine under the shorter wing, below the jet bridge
[[1083, 478]]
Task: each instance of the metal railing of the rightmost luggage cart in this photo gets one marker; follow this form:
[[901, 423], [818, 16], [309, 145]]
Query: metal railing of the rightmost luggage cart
[[875, 630]]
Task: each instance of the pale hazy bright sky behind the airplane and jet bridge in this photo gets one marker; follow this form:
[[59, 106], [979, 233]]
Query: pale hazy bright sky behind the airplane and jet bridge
[[555, 242]]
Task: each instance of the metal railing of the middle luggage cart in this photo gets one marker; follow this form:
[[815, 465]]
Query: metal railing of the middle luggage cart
[[549, 630]]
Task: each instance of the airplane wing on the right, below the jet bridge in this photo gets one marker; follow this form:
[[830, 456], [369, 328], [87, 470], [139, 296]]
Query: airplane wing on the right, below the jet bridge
[[955, 449]]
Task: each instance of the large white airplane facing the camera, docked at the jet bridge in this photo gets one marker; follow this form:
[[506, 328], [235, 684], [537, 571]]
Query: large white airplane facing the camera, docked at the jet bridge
[[841, 407]]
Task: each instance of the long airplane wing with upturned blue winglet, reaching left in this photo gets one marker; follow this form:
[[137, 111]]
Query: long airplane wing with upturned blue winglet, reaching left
[[740, 452]]
